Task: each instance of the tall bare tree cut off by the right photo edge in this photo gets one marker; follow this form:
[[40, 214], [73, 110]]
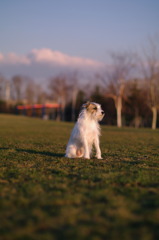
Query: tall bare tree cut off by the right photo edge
[[150, 68]]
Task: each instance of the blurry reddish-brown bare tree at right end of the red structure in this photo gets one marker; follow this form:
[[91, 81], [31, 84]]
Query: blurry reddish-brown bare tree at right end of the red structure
[[59, 88]]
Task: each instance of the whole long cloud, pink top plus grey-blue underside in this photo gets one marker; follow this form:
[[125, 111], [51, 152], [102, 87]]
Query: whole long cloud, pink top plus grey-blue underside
[[45, 63]]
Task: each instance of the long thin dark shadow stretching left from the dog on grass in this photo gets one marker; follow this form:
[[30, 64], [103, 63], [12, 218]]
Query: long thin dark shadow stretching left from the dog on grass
[[31, 151]]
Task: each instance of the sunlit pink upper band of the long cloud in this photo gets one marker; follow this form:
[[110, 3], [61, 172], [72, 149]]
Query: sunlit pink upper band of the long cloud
[[48, 56]]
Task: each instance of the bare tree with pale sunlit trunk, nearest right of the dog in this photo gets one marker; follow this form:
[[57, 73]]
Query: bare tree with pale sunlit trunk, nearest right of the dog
[[115, 80]]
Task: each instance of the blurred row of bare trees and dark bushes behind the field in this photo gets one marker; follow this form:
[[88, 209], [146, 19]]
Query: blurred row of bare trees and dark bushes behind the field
[[128, 90]]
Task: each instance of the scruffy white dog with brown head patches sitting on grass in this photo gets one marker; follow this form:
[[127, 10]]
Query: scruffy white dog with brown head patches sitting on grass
[[86, 132]]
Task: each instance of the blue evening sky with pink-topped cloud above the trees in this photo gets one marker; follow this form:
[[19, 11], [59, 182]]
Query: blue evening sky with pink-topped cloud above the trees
[[65, 33]]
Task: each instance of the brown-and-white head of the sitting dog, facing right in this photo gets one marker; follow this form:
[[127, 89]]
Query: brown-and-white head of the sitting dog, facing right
[[94, 110]]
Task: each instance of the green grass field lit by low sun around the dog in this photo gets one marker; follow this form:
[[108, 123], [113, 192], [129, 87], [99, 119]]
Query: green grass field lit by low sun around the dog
[[45, 196]]
